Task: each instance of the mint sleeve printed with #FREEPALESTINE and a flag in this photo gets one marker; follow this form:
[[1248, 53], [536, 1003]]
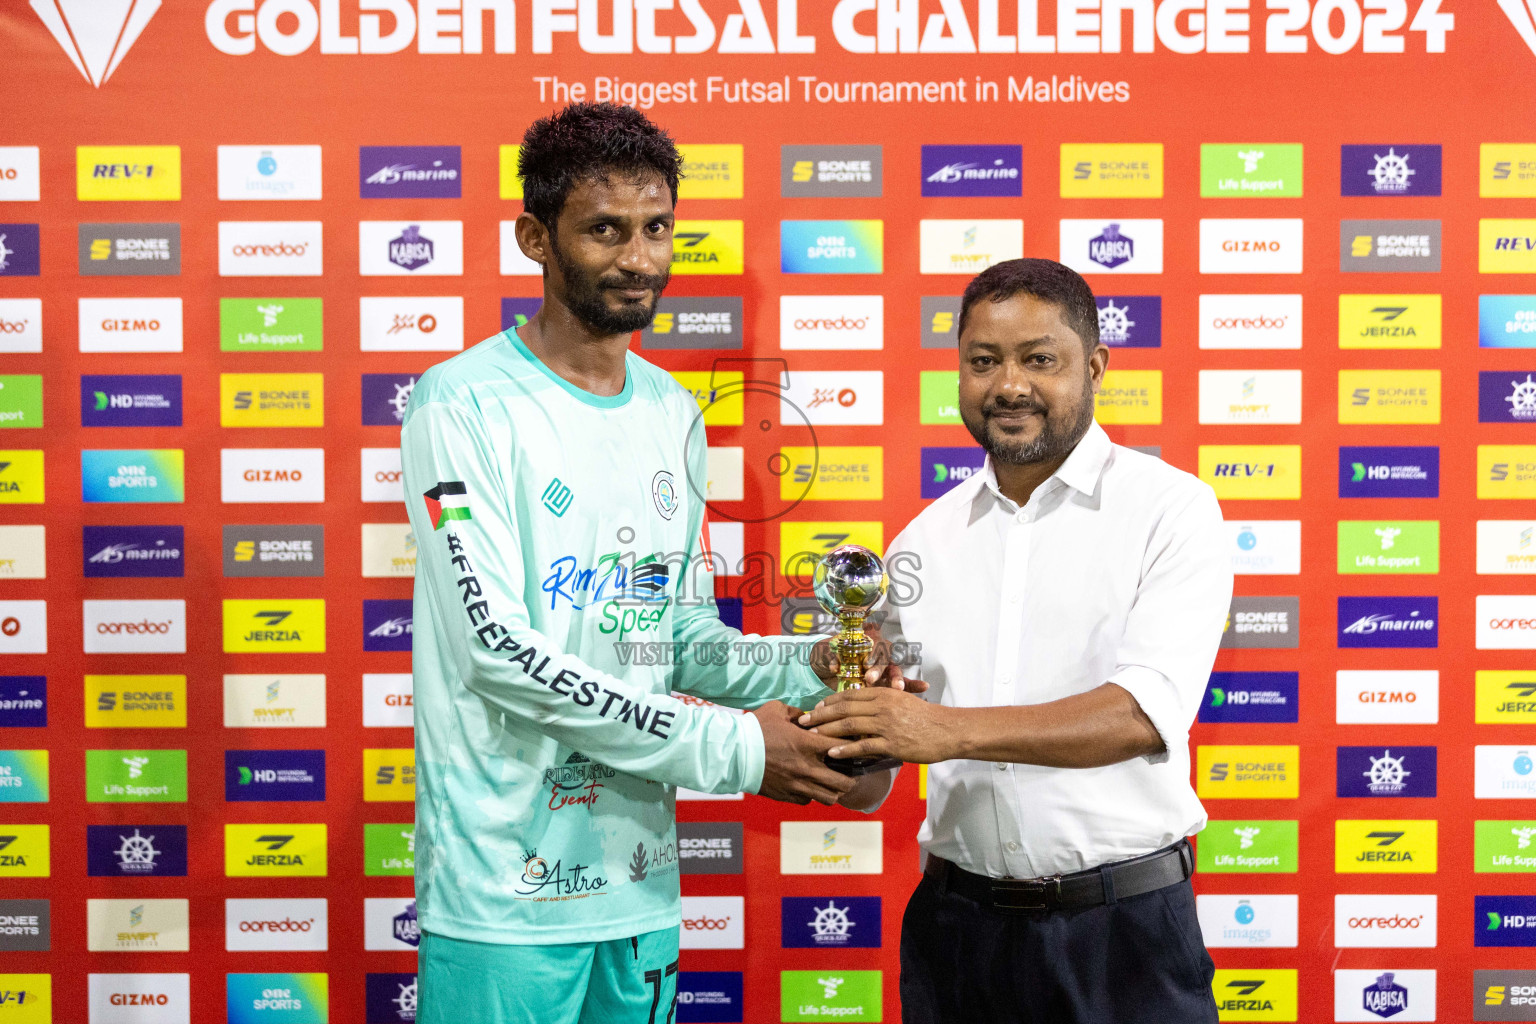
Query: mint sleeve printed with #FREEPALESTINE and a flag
[[471, 573]]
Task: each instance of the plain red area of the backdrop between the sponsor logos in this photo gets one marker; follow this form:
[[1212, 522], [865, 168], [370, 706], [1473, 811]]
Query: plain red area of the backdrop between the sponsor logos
[[176, 88]]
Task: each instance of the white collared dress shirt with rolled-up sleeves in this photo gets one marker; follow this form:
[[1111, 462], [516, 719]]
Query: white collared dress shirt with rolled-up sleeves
[[1114, 572]]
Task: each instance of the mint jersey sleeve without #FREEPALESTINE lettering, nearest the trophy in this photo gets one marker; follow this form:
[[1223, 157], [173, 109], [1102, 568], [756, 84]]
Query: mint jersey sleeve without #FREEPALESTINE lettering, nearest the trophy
[[715, 661]]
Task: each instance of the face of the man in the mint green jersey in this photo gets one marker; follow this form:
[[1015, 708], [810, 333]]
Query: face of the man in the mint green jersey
[[612, 251]]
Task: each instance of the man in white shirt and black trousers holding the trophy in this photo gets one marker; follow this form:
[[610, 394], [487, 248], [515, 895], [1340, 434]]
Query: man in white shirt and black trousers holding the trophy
[[1070, 604]]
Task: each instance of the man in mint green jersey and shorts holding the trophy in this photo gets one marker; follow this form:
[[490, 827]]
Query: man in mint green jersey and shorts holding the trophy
[[548, 484]]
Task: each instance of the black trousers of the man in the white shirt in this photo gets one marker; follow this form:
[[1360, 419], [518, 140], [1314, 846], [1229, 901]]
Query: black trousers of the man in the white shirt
[[1133, 962]]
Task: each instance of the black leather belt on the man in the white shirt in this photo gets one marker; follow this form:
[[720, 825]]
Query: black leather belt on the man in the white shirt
[[1091, 888]]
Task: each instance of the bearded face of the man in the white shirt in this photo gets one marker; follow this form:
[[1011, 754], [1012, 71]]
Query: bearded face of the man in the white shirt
[[1027, 385]]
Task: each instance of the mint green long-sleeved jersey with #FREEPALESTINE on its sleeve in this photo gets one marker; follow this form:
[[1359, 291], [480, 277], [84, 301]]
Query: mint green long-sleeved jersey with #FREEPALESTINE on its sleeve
[[558, 570]]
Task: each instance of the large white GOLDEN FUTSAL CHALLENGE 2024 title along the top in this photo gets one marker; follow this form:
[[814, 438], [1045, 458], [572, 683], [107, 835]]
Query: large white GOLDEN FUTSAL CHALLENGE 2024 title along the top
[[856, 27]]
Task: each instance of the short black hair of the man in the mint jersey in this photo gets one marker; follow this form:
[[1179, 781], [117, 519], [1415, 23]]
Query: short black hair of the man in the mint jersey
[[591, 142]]
